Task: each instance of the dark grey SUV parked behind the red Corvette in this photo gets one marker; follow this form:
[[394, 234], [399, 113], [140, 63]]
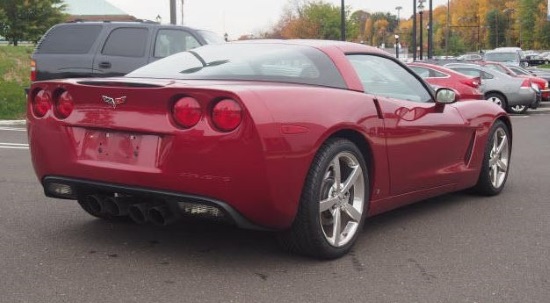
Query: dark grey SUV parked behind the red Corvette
[[104, 49]]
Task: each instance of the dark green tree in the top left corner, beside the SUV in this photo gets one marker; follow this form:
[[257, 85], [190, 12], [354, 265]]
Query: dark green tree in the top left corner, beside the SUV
[[28, 20]]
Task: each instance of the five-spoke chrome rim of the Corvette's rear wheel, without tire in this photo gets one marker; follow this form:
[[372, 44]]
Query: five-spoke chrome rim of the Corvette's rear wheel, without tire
[[342, 199]]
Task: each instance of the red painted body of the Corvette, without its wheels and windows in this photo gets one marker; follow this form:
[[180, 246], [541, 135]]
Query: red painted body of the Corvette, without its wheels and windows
[[131, 144]]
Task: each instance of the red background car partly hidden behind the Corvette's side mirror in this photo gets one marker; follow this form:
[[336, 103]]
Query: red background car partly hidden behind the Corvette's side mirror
[[465, 86]]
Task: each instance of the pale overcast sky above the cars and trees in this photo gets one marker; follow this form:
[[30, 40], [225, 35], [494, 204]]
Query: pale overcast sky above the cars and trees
[[243, 17]]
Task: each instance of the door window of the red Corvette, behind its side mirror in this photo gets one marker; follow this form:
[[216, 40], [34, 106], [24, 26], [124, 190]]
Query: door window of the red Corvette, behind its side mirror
[[384, 77]]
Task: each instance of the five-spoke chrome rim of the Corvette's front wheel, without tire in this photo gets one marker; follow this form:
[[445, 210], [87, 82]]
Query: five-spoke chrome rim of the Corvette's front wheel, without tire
[[499, 158]]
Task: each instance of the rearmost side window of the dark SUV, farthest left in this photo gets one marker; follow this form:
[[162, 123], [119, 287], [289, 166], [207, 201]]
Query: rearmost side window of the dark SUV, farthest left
[[69, 39]]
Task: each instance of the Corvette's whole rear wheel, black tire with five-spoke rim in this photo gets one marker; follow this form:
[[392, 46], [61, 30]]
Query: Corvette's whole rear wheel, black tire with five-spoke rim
[[311, 233]]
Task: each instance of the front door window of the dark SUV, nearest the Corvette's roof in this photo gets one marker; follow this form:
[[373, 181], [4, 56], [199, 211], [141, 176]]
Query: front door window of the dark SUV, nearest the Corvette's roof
[[171, 41]]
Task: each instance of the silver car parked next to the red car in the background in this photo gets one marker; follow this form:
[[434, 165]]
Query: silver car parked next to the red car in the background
[[515, 95]]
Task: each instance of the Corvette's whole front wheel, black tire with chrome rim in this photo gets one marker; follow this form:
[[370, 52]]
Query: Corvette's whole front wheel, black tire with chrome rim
[[496, 161]]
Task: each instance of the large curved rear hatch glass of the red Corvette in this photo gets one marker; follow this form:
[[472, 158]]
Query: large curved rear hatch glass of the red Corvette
[[248, 62]]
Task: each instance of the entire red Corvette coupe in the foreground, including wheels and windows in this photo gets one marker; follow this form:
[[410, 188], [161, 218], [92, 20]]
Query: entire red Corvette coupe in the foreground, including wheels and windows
[[307, 138]]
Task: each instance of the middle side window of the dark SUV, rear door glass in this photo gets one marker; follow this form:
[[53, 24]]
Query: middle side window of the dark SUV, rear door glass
[[126, 42]]
